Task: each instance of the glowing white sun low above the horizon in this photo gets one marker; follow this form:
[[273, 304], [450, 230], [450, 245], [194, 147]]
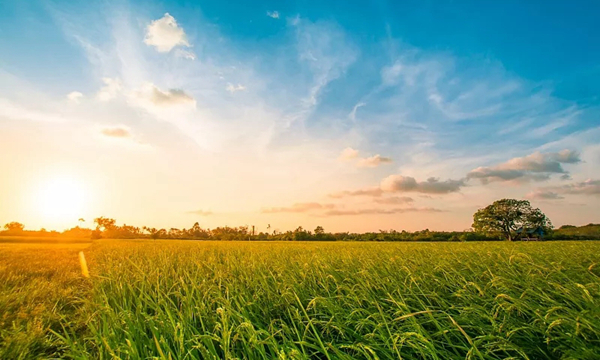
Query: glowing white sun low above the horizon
[[61, 199]]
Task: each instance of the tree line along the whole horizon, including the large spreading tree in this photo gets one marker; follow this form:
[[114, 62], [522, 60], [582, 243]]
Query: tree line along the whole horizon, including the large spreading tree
[[506, 219]]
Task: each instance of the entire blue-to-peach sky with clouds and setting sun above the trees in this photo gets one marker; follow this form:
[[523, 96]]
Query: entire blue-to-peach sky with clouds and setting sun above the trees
[[355, 116]]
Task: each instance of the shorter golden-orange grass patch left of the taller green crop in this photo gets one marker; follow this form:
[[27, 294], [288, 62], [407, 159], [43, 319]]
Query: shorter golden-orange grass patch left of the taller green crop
[[40, 286]]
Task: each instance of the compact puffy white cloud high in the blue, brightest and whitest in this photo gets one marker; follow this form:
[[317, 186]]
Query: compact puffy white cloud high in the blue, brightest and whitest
[[165, 34]]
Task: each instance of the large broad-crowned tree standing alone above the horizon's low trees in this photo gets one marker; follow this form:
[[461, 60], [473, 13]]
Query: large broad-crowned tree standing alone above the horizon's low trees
[[506, 216]]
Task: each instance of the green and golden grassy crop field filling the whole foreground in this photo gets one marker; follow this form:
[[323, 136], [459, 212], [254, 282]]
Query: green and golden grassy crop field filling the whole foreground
[[224, 300]]
